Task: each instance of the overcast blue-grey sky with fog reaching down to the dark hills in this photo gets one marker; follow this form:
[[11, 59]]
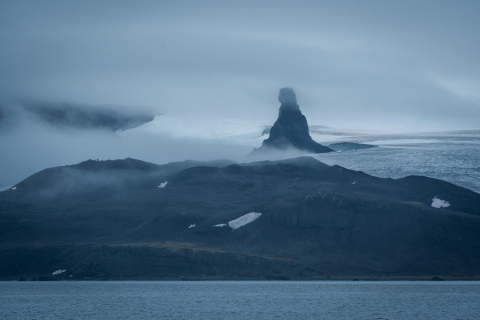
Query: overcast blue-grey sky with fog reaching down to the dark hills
[[211, 70]]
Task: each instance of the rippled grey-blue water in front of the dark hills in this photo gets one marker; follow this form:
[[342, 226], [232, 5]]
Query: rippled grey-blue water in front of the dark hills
[[240, 300]]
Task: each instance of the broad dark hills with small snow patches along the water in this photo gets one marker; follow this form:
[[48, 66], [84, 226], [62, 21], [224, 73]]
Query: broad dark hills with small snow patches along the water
[[296, 218]]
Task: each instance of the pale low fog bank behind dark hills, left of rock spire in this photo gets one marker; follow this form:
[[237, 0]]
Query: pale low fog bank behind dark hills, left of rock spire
[[33, 145]]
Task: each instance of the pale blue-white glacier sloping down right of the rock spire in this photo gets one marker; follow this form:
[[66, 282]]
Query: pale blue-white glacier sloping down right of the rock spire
[[450, 156]]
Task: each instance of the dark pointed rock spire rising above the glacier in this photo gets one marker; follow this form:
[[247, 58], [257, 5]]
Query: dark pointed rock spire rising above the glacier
[[290, 131]]
